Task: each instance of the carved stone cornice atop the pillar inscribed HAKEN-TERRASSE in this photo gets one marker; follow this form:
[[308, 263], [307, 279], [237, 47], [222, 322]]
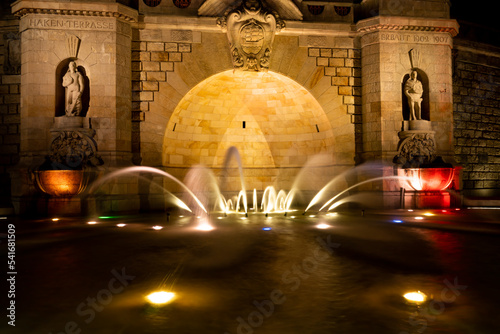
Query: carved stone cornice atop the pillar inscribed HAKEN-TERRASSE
[[23, 7]]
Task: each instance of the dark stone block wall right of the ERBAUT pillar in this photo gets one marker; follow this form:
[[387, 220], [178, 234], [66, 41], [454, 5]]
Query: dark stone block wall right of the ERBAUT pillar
[[476, 97]]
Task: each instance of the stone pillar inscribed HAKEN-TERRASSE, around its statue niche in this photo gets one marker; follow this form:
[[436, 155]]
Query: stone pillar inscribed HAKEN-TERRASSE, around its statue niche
[[97, 37]]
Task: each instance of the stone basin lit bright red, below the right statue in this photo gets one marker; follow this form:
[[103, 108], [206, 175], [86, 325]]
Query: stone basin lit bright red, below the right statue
[[426, 179]]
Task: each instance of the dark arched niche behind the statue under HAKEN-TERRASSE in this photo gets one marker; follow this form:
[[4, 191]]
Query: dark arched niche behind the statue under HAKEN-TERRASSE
[[61, 70]]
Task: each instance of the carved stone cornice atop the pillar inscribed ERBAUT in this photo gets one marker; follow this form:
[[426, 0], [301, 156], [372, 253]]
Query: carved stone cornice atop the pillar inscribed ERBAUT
[[407, 24]]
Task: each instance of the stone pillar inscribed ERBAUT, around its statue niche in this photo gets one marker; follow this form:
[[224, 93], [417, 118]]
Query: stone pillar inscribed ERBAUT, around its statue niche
[[391, 47]]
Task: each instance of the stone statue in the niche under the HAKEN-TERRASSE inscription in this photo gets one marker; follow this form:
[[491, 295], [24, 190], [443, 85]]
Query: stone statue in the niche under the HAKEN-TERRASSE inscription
[[74, 84]]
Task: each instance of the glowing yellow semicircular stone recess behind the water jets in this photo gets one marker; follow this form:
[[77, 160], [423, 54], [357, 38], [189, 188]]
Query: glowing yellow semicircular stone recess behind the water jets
[[272, 120]]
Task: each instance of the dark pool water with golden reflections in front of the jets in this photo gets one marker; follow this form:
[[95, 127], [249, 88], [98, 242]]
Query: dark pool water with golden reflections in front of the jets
[[238, 278]]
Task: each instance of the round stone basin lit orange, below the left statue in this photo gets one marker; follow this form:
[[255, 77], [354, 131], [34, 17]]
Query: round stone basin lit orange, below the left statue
[[61, 182]]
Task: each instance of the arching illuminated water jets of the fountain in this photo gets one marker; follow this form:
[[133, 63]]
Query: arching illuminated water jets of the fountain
[[203, 192]]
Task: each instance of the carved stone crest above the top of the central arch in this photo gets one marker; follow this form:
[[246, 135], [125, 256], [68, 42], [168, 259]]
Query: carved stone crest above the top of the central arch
[[250, 29]]
